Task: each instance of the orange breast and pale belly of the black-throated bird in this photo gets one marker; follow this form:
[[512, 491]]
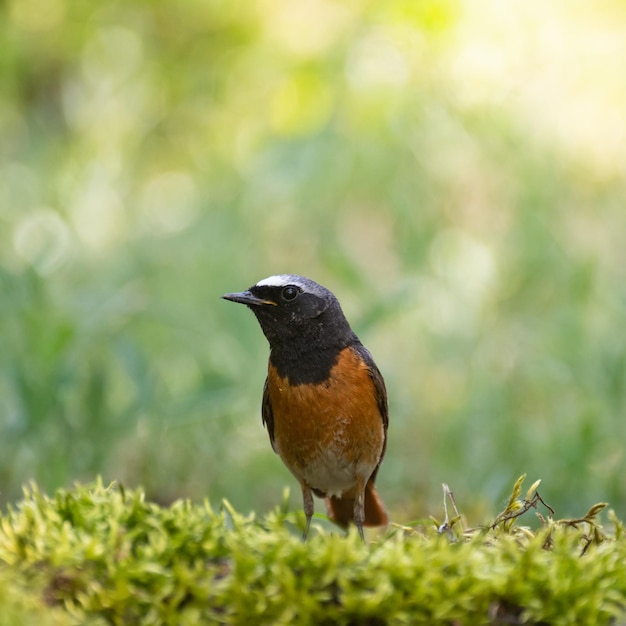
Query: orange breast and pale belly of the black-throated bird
[[328, 434]]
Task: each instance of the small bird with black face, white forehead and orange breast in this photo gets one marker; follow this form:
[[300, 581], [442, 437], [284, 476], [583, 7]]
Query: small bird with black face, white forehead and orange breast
[[324, 400]]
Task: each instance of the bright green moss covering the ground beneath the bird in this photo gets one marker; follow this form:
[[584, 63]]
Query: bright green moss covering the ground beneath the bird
[[104, 555]]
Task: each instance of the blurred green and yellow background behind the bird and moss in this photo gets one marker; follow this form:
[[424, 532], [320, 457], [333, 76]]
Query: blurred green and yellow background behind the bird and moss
[[455, 171]]
